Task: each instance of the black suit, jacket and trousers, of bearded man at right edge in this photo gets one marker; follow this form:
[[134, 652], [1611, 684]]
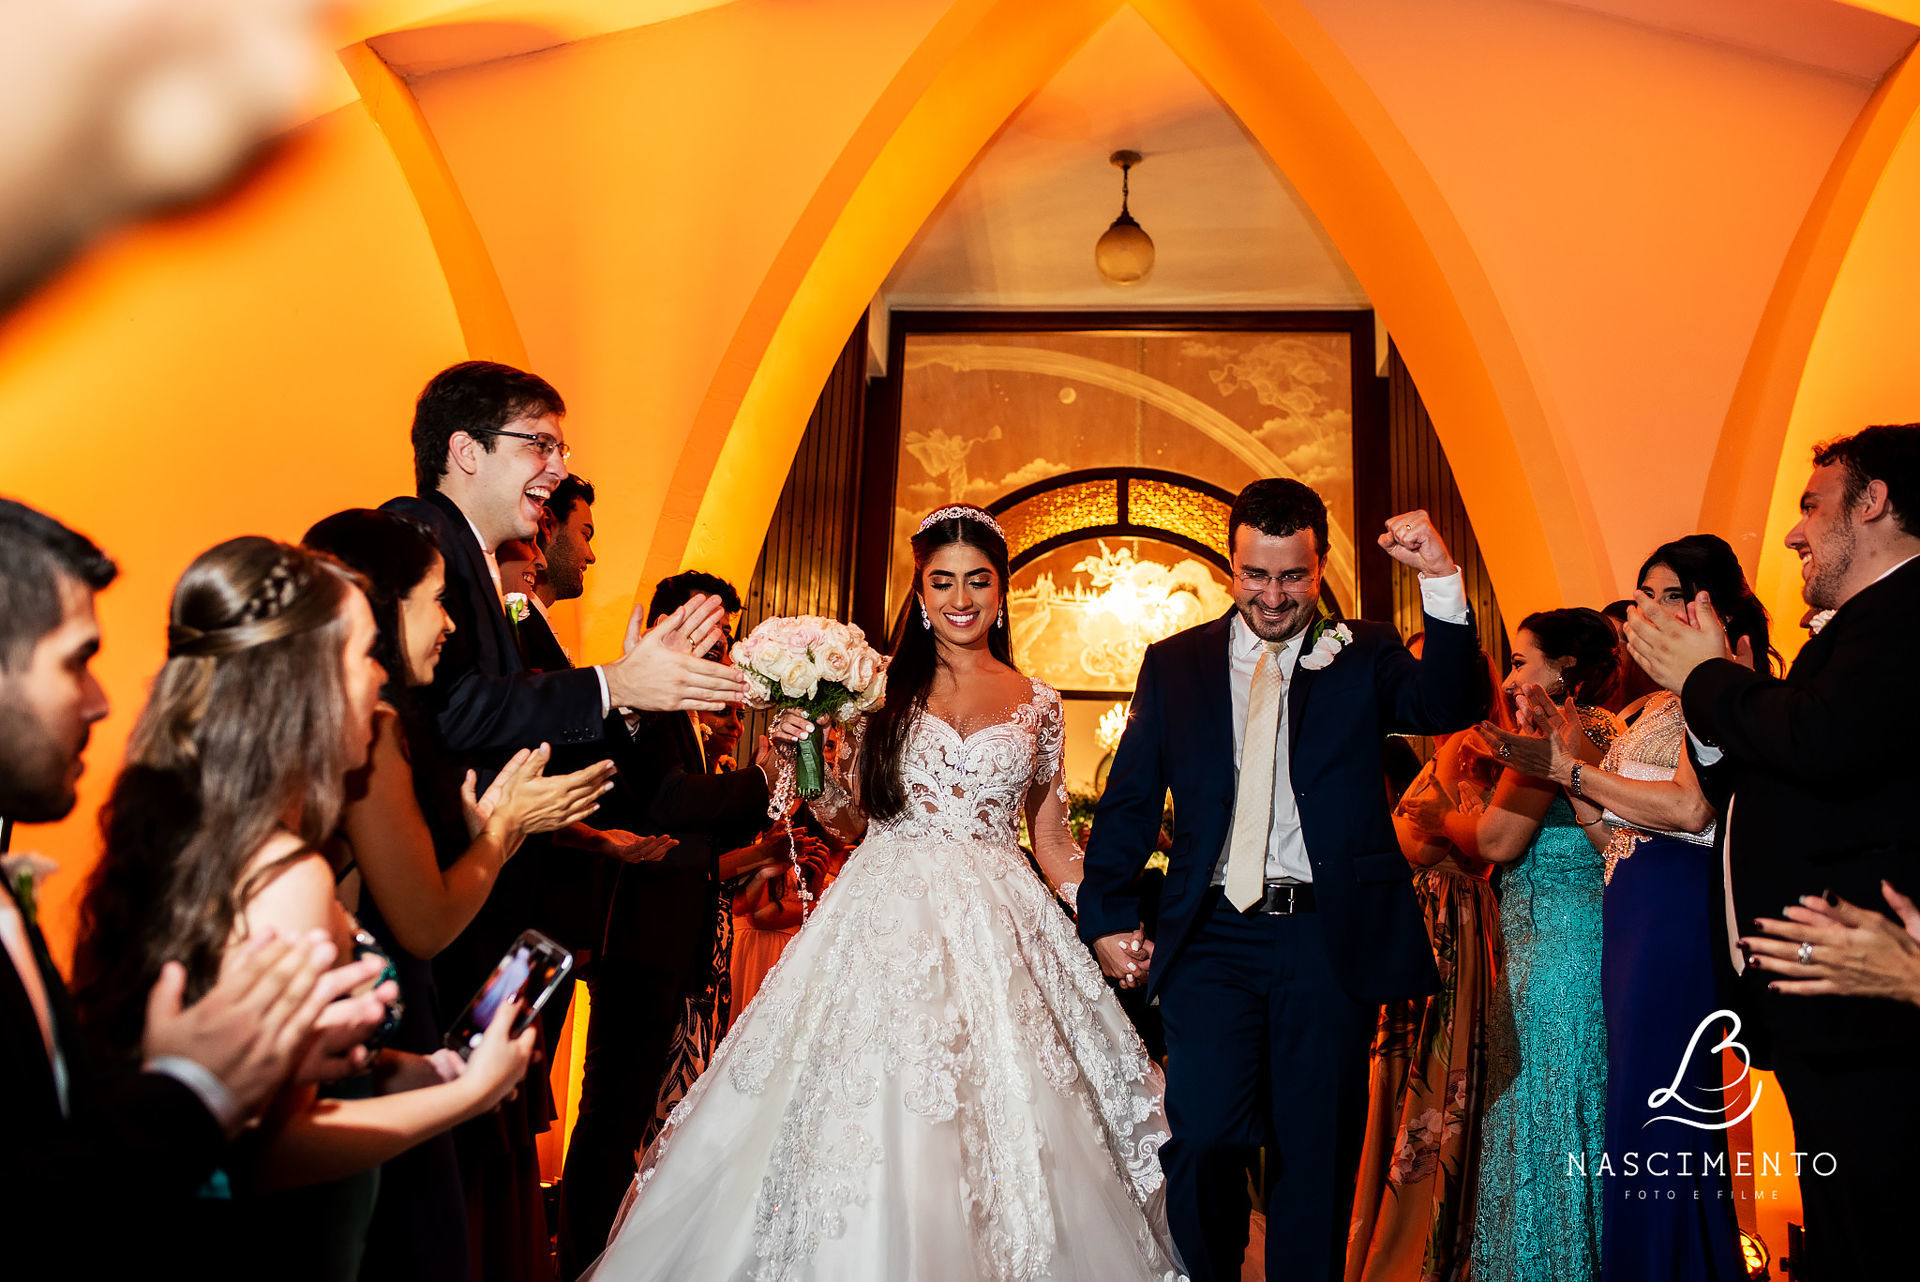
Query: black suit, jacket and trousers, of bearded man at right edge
[[1823, 799]]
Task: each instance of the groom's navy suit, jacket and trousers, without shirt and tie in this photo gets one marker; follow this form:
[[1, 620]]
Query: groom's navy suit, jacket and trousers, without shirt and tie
[[1268, 1018]]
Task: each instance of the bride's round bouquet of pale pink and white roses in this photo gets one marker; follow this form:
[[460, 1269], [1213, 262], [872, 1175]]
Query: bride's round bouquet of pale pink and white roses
[[817, 665]]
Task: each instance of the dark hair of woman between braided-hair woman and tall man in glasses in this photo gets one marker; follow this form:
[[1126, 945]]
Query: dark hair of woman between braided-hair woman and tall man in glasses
[[393, 554]]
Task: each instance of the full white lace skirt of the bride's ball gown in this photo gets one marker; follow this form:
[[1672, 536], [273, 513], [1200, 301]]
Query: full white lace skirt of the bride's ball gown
[[934, 1083]]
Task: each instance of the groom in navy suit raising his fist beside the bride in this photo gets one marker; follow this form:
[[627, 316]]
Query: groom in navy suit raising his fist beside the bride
[[1287, 914]]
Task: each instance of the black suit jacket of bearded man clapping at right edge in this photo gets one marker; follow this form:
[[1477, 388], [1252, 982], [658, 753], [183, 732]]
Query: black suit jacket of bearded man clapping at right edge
[[1823, 788]]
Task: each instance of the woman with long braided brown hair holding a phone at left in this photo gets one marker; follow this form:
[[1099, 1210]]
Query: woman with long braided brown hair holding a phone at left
[[231, 786]]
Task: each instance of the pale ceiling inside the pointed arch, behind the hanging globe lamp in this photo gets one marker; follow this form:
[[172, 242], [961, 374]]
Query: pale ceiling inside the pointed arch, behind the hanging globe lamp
[[1020, 226]]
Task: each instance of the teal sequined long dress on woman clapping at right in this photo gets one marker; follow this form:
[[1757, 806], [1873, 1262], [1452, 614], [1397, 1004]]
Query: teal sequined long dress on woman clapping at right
[[1537, 1214]]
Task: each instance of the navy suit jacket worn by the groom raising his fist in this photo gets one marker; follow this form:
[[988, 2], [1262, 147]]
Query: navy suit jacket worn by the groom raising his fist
[[1180, 736]]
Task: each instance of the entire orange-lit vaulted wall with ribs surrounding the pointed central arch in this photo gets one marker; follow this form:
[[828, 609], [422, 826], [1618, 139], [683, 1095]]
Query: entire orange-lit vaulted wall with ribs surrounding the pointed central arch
[[1602, 249]]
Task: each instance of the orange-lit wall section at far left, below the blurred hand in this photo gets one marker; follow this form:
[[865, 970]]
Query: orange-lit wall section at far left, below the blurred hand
[[241, 371]]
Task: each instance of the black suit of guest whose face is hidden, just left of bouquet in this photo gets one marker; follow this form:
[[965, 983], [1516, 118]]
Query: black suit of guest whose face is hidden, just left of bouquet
[[658, 945]]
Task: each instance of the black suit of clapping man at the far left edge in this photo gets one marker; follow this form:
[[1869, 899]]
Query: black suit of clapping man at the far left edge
[[132, 1149]]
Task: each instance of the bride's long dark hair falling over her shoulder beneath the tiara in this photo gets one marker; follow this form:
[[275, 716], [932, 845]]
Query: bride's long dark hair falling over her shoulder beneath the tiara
[[917, 659]]
